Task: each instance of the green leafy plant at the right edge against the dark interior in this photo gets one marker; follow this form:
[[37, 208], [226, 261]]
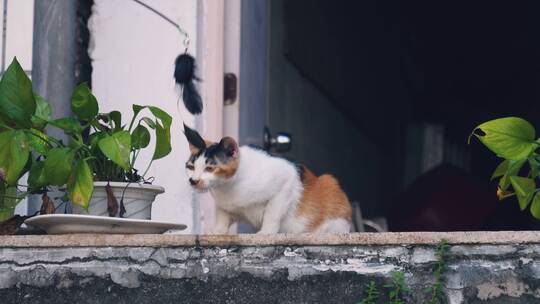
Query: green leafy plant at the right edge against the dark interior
[[514, 140]]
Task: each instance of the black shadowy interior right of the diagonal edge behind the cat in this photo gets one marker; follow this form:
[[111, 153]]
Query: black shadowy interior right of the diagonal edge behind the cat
[[387, 65]]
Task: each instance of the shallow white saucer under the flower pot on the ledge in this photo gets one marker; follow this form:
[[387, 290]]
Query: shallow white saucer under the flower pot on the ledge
[[76, 223]]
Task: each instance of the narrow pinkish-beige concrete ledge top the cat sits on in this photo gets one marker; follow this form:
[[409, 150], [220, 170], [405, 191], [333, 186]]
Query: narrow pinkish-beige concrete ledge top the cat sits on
[[390, 238]]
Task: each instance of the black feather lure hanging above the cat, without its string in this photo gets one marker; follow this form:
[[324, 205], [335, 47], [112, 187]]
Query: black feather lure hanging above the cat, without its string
[[184, 75]]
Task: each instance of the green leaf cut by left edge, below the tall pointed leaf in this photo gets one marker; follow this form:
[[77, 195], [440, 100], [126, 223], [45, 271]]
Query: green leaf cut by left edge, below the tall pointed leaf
[[14, 153]]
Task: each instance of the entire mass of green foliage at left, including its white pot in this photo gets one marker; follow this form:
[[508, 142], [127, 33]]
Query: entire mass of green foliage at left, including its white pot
[[95, 166]]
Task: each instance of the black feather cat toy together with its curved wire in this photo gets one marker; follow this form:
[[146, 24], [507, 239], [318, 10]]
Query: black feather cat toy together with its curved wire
[[184, 70]]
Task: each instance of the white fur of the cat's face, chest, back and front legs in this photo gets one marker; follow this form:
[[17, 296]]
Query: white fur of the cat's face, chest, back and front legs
[[264, 191]]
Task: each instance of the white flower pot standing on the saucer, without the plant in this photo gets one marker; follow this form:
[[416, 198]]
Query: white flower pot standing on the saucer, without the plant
[[138, 199]]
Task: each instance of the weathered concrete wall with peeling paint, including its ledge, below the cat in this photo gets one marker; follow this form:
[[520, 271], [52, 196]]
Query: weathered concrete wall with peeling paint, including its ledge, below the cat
[[483, 267]]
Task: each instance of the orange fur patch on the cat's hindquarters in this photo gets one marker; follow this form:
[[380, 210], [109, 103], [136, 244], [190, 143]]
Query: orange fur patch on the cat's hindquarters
[[323, 199]]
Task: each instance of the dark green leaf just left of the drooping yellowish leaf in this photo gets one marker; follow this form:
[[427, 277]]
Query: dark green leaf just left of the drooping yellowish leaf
[[58, 165]]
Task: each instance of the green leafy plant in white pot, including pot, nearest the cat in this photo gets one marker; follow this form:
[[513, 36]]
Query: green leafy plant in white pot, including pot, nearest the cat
[[113, 150]]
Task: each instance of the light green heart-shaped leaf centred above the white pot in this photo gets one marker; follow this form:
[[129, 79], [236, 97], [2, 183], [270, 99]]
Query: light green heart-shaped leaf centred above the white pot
[[117, 148]]
